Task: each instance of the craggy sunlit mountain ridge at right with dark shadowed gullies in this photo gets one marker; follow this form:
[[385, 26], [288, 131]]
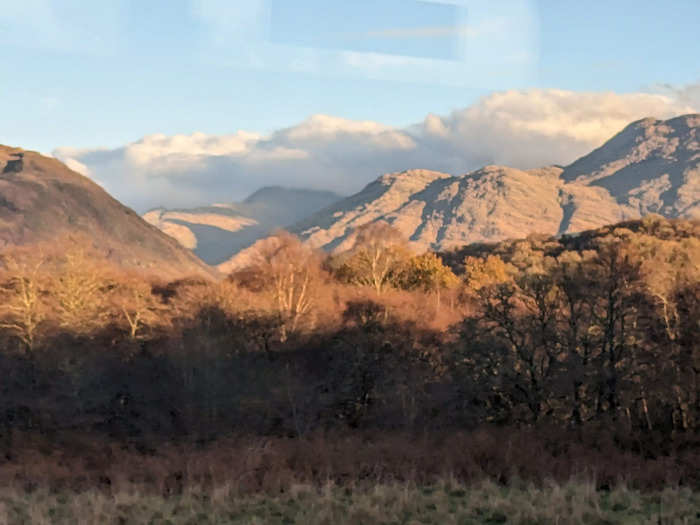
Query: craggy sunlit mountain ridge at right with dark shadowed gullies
[[651, 166]]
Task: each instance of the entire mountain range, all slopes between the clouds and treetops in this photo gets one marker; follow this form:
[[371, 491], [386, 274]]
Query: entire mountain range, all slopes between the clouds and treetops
[[651, 166]]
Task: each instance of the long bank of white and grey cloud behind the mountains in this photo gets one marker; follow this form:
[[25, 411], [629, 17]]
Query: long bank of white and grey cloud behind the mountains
[[523, 129]]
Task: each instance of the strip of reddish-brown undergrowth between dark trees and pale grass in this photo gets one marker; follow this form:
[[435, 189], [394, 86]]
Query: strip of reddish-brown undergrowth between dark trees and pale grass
[[78, 462]]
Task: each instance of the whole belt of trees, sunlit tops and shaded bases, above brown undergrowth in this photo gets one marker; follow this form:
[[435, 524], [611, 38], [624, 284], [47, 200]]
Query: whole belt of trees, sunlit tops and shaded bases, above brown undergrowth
[[593, 333]]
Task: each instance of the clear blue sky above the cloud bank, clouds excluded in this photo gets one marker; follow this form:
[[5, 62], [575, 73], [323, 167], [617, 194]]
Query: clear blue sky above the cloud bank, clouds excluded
[[102, 74]]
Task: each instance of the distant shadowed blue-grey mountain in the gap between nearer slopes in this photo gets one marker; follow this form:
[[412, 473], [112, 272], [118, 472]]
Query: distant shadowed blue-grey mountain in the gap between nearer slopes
[[218, 231]]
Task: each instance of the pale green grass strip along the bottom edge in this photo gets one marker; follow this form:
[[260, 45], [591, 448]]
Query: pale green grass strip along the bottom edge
[[444, 503]]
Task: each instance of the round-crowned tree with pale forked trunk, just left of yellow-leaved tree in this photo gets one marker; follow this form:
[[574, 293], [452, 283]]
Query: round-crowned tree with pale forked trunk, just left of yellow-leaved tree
[[377, 257]]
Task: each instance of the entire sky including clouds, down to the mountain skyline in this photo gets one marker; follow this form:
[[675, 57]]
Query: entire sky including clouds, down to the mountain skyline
[[178, 102]]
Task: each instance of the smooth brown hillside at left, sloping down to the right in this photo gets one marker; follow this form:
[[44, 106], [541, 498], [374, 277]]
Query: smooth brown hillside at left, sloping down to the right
[[41, 199]]
